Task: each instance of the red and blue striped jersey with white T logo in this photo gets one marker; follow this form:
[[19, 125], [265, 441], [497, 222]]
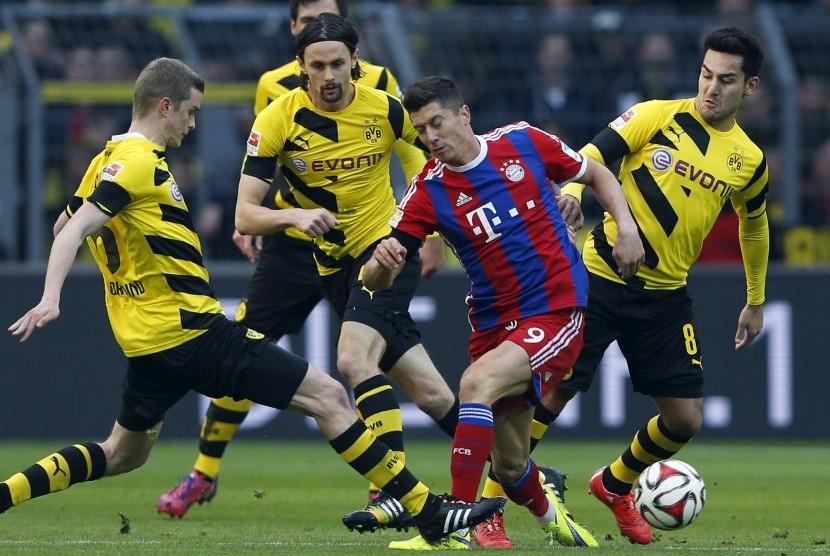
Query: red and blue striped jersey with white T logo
[[499, 215]]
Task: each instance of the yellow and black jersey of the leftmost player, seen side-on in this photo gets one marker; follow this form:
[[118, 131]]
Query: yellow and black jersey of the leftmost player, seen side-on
[[156, 286]]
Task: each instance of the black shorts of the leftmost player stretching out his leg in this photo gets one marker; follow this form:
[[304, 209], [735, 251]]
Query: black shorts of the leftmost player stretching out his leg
[[227, 360]]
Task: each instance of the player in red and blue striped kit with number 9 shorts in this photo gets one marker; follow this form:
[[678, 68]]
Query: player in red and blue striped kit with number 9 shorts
[[491, 198]]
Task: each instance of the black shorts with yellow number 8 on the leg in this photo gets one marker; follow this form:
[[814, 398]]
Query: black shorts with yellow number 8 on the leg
[[654, 331]]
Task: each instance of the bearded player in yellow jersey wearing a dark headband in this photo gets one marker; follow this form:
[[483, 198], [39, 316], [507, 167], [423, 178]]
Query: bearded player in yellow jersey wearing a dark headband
[[332, 141]]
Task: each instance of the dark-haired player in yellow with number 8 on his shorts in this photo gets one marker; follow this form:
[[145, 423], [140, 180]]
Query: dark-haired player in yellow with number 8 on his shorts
[[681, 161]]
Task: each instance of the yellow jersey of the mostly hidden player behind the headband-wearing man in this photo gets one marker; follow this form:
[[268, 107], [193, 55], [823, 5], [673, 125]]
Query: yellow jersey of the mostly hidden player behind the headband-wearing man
[[276, 82]]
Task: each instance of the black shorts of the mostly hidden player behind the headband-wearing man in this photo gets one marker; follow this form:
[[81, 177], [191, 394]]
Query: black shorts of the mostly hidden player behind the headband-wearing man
[[283, 290]]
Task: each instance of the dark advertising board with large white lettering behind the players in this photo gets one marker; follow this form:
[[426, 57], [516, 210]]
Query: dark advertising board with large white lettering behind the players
[[67, 377]]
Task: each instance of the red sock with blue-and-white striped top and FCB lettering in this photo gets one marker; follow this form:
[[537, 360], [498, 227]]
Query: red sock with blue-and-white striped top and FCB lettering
[[470, 448]]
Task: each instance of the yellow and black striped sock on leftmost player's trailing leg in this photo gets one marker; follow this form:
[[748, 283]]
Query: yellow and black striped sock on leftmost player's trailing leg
[[55, 472]]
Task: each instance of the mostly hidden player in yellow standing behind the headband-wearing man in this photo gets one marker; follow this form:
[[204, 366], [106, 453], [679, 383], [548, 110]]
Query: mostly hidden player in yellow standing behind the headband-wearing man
[[285, 286]]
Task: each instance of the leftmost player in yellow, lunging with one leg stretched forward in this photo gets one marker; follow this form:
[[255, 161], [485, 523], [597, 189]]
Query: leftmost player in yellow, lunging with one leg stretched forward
[[169, 324]]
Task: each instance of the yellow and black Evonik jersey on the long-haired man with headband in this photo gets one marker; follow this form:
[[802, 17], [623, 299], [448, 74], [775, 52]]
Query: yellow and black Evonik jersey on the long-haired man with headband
[[338, 161]]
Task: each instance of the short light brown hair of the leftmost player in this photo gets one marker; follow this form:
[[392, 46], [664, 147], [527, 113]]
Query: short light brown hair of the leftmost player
[[164, 77]]
